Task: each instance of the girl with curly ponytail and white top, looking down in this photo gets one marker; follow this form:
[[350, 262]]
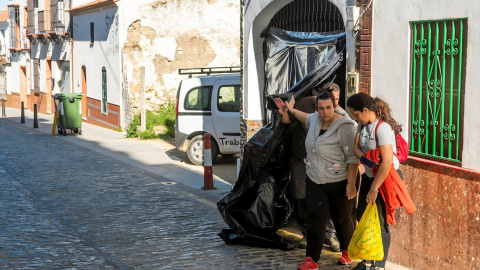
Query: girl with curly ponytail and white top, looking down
[[376, 129]]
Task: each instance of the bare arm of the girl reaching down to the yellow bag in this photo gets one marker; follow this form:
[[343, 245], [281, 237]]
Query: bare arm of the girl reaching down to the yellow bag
[[386, 154]]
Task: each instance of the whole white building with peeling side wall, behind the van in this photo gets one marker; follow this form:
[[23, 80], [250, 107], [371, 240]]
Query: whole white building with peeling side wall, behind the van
[[161, 36]]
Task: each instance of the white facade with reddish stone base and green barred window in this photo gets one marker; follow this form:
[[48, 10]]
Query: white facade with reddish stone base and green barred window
[[424, 64]]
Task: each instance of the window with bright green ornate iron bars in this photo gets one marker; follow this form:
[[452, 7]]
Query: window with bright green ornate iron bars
[[437, 88]]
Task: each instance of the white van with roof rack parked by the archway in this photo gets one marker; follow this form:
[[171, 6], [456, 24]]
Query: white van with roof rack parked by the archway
[[209, 103]]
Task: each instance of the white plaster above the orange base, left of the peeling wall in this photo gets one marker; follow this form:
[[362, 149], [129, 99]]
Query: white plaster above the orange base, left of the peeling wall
[[104, 52]]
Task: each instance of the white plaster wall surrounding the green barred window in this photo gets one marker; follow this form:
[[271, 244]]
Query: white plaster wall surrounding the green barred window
[[391, 60]]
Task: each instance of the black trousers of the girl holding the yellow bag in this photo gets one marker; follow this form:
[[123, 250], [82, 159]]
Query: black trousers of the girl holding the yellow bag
[[382, 214]]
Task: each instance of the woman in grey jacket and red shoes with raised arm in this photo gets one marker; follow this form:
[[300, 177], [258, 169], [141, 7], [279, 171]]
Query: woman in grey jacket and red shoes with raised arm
[[331, 173]]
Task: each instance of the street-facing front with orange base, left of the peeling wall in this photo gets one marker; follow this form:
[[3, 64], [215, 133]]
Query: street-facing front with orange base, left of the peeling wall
[[97, 68]]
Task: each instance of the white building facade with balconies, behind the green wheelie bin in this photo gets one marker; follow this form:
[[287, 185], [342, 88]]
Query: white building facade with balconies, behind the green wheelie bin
[[50, 51]]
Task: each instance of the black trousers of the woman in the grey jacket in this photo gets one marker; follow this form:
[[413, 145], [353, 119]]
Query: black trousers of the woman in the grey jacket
[[321, 199]]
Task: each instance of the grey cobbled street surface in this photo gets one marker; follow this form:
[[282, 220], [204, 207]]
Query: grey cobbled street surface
[[65, 206]]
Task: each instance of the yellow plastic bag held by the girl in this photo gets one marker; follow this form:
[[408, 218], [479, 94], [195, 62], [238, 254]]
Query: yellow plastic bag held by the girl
[[366, 243]]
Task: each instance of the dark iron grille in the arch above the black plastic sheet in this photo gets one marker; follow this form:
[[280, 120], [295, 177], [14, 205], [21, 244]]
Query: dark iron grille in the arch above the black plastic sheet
[[309, 16]]
